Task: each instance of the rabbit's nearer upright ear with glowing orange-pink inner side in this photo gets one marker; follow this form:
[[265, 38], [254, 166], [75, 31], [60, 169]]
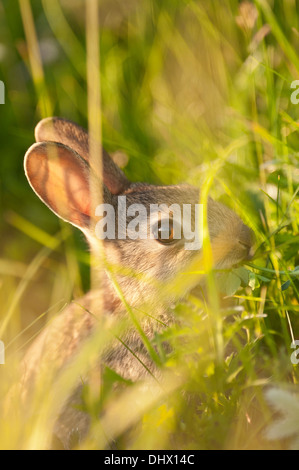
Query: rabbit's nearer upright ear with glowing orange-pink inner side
[[60, 177]]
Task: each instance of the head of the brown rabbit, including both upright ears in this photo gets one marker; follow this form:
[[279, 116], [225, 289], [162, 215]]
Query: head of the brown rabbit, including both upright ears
[[59, 170]]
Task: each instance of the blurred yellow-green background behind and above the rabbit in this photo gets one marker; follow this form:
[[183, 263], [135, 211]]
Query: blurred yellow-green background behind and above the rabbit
[[185, 83]]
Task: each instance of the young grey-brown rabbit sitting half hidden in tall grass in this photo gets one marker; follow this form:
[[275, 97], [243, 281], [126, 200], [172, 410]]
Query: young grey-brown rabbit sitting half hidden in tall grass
[[59, 171]]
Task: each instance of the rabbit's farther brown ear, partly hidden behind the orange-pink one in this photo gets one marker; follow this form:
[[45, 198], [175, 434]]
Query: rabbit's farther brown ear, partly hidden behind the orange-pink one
[[68, 133]]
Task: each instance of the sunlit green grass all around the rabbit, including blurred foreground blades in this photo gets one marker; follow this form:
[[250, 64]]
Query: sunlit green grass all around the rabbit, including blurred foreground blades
[[190, 94]]
